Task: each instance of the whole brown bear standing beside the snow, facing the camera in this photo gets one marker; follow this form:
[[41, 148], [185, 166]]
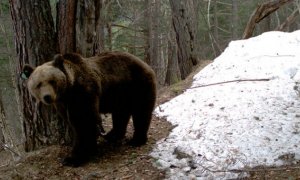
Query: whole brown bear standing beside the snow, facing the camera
[[81, 88]]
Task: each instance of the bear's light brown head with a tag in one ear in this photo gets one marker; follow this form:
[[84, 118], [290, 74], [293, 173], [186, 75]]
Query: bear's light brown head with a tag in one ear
[[46, 82]]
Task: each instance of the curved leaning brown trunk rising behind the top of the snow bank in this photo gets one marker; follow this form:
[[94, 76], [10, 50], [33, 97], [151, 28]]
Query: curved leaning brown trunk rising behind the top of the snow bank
[[260, 13]]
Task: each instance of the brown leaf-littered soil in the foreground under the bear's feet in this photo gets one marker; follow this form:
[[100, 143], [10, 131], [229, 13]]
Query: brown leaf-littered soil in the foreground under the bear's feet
[[114, 161]]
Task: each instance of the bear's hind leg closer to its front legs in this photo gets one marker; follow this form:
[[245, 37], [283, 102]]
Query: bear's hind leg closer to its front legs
[[120, 122]]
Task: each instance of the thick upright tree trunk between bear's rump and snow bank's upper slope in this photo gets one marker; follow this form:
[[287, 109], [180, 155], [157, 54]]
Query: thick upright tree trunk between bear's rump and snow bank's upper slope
[[183, 23]]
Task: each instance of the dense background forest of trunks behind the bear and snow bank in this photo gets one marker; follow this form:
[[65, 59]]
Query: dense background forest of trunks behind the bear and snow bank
[[170, 35]]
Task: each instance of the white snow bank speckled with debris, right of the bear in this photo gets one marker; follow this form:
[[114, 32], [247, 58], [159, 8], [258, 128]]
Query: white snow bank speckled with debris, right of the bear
[[237, 125]]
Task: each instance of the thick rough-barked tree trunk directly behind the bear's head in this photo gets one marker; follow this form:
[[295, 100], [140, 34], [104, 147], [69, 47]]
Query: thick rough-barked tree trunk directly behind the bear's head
[[35, 42]]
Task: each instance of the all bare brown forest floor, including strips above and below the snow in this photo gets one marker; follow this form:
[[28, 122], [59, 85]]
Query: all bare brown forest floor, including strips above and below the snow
[[118, 161]]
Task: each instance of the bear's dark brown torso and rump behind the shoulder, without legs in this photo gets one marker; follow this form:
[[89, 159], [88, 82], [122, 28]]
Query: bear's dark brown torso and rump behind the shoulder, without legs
[[125, 80]]
